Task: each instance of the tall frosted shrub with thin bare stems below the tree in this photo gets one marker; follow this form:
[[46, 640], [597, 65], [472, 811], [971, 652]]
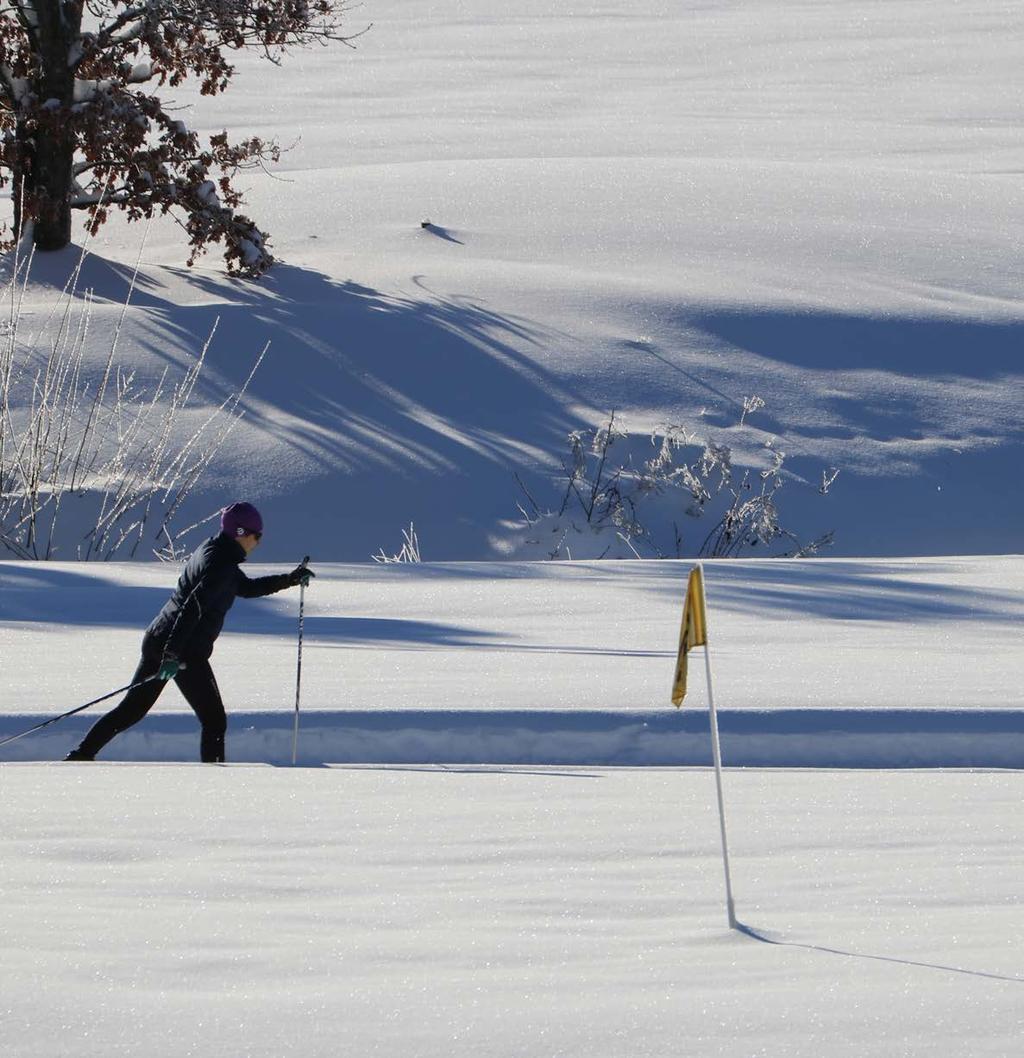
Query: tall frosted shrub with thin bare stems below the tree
[[89, 464]]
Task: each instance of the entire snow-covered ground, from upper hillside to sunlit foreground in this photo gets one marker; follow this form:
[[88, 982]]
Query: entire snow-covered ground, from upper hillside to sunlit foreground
[[665, 210]]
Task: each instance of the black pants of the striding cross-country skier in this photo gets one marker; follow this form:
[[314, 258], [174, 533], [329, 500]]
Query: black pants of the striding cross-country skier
[[198, 685]]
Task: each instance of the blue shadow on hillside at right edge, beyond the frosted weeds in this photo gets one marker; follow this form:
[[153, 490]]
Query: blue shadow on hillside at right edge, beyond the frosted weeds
[[920, 416]]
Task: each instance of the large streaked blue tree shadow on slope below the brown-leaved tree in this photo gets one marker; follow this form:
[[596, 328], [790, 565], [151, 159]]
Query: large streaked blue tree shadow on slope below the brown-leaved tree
[[412, 404]]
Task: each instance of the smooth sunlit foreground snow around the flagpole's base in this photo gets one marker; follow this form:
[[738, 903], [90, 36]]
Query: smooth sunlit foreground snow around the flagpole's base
[[181, 910]]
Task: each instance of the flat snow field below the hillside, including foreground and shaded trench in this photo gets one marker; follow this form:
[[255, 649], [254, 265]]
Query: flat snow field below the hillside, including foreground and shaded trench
[[440, 909]]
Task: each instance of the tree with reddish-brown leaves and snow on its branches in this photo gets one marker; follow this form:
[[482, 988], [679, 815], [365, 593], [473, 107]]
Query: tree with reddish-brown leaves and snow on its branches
[[81, 130]]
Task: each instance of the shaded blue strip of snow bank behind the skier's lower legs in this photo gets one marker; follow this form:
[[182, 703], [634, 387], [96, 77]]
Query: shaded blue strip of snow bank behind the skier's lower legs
[[806, 738]]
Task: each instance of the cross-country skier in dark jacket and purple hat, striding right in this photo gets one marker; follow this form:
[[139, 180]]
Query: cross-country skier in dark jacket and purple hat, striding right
[[179, 643]]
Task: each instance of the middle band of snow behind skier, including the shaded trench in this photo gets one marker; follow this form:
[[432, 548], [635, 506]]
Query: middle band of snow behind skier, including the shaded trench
[[550, 663]]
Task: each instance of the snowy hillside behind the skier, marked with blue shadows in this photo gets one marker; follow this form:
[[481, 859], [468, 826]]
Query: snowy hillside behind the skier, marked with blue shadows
[[663, 210]]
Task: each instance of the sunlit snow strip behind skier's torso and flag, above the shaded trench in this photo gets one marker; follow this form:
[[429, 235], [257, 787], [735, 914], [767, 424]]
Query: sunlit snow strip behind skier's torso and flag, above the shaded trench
[[925, 634]]
